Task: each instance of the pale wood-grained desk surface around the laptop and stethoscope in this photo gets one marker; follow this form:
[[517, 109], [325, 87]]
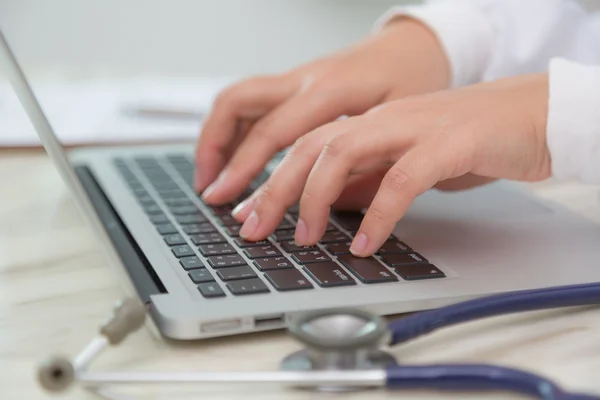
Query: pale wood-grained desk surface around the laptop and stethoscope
[[55, 290]]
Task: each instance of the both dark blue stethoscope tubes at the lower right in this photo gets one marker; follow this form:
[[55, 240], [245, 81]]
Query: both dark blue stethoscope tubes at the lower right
[[485, 377]]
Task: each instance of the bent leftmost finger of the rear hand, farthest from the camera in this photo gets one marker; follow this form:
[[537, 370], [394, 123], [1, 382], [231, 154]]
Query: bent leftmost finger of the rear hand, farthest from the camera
[[250, 99]]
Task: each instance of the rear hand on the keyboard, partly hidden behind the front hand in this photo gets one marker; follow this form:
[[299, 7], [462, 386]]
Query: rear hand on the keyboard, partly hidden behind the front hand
[[253, 120]]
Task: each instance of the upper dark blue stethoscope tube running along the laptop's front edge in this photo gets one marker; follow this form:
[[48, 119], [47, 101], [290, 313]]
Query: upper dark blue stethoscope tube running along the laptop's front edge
[[413, 326]]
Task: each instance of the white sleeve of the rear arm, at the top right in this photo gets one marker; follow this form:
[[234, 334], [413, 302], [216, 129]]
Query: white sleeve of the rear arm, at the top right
[[491, 39]]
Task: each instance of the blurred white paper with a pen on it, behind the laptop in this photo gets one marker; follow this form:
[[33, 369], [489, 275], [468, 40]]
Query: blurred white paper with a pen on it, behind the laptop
[[108, 111]]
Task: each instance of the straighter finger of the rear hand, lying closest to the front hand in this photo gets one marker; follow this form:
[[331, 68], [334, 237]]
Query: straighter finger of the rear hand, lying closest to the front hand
[[276, 131]]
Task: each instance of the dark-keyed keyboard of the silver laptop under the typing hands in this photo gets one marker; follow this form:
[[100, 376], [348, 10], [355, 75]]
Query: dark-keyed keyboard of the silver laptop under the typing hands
[[206, 243]]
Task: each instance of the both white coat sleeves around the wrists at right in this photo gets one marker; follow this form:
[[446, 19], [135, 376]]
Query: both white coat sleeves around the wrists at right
[[490, 39]]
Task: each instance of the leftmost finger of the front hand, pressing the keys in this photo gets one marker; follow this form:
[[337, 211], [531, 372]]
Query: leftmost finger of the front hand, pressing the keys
[[283, 189]]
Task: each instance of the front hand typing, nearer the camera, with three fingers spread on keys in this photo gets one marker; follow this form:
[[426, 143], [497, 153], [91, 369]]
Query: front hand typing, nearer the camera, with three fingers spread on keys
[[491, 130]]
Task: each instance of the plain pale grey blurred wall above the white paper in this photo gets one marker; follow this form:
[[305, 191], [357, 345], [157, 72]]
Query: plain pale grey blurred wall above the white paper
[[189, 37]]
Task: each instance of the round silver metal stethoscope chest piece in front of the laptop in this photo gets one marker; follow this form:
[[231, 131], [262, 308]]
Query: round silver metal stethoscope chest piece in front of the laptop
[[338, 340]]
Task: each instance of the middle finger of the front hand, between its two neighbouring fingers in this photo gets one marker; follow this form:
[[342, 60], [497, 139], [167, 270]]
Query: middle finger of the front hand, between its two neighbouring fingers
[[365, 149]]
